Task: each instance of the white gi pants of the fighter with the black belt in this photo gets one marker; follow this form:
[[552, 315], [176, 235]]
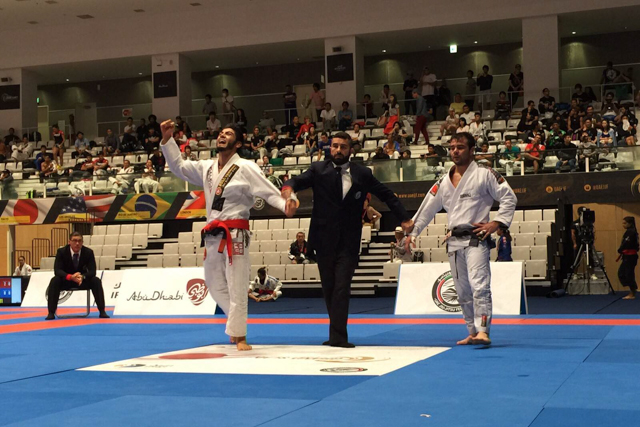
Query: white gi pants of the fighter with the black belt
[[472, 277]]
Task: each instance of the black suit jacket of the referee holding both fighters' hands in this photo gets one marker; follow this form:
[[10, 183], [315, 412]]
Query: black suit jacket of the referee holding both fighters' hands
[[335, 220]]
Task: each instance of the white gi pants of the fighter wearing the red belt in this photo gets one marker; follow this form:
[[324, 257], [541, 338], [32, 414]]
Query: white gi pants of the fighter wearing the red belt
[[229, 284]]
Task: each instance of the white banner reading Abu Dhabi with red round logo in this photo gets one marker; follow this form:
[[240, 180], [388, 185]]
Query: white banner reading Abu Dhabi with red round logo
[[164, 291]]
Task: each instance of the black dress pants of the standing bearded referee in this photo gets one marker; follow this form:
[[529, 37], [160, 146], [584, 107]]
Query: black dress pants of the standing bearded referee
[[336, 272]]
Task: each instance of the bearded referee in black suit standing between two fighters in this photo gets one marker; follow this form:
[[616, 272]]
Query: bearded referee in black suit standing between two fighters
[[339, 190]]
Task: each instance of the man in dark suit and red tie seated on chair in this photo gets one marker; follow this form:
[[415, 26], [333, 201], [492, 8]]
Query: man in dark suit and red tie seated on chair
[[75, 267]]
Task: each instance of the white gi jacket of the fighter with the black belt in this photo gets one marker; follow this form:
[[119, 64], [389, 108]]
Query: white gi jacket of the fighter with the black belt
[[469, 203]]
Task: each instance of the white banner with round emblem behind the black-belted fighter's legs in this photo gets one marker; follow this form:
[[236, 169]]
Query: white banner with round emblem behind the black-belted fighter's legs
[[428, 289]]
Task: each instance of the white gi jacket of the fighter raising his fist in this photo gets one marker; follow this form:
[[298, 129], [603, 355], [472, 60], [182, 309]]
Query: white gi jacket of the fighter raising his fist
[[247, 183]]
